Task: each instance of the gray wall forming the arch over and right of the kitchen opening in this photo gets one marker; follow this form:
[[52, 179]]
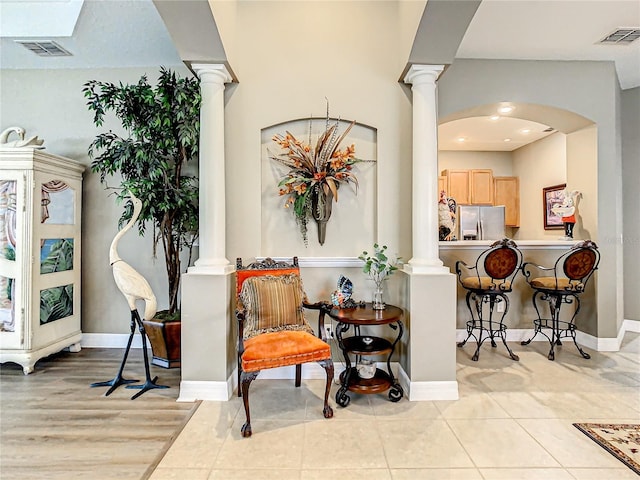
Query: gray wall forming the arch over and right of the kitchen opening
[[589, 89]]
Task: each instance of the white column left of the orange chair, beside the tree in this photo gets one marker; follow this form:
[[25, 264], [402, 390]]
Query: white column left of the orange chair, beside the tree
[[212, 224]]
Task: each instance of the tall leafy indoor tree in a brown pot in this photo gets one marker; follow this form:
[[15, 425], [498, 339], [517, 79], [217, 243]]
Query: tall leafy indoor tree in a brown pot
[[163, 126]]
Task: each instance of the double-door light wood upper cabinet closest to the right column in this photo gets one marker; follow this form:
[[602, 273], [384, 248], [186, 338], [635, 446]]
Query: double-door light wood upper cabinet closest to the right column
[[470, 187]]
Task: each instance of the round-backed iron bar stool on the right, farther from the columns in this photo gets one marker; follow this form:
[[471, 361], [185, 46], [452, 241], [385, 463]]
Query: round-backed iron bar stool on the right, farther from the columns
[[560, 284]]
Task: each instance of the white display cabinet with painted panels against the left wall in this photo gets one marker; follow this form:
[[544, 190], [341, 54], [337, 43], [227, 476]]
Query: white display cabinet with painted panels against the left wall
[[40, 212]]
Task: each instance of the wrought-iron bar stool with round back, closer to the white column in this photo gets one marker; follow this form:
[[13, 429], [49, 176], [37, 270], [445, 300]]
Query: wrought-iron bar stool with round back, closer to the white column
[[488, 282]]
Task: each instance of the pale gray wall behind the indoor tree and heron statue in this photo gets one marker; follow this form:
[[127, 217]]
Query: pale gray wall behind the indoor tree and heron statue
[[50, 104]]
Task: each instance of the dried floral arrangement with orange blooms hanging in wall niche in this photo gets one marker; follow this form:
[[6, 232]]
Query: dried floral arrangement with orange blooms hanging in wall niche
[[315, 173]]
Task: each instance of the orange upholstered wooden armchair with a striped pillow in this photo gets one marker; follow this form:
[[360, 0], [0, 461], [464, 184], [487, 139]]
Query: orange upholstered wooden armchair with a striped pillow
[[272, 328]]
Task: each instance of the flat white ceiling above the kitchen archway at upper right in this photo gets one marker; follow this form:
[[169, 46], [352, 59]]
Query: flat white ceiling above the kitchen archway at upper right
[[555, 30]]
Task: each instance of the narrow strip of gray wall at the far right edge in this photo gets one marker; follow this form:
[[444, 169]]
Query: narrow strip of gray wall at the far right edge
[[630, 115]]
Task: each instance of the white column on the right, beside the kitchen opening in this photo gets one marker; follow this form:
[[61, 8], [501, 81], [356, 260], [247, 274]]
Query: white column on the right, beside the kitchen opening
[[426, 257]]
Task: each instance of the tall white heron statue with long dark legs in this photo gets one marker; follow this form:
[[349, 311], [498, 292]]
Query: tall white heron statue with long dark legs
[[134, 287]]
